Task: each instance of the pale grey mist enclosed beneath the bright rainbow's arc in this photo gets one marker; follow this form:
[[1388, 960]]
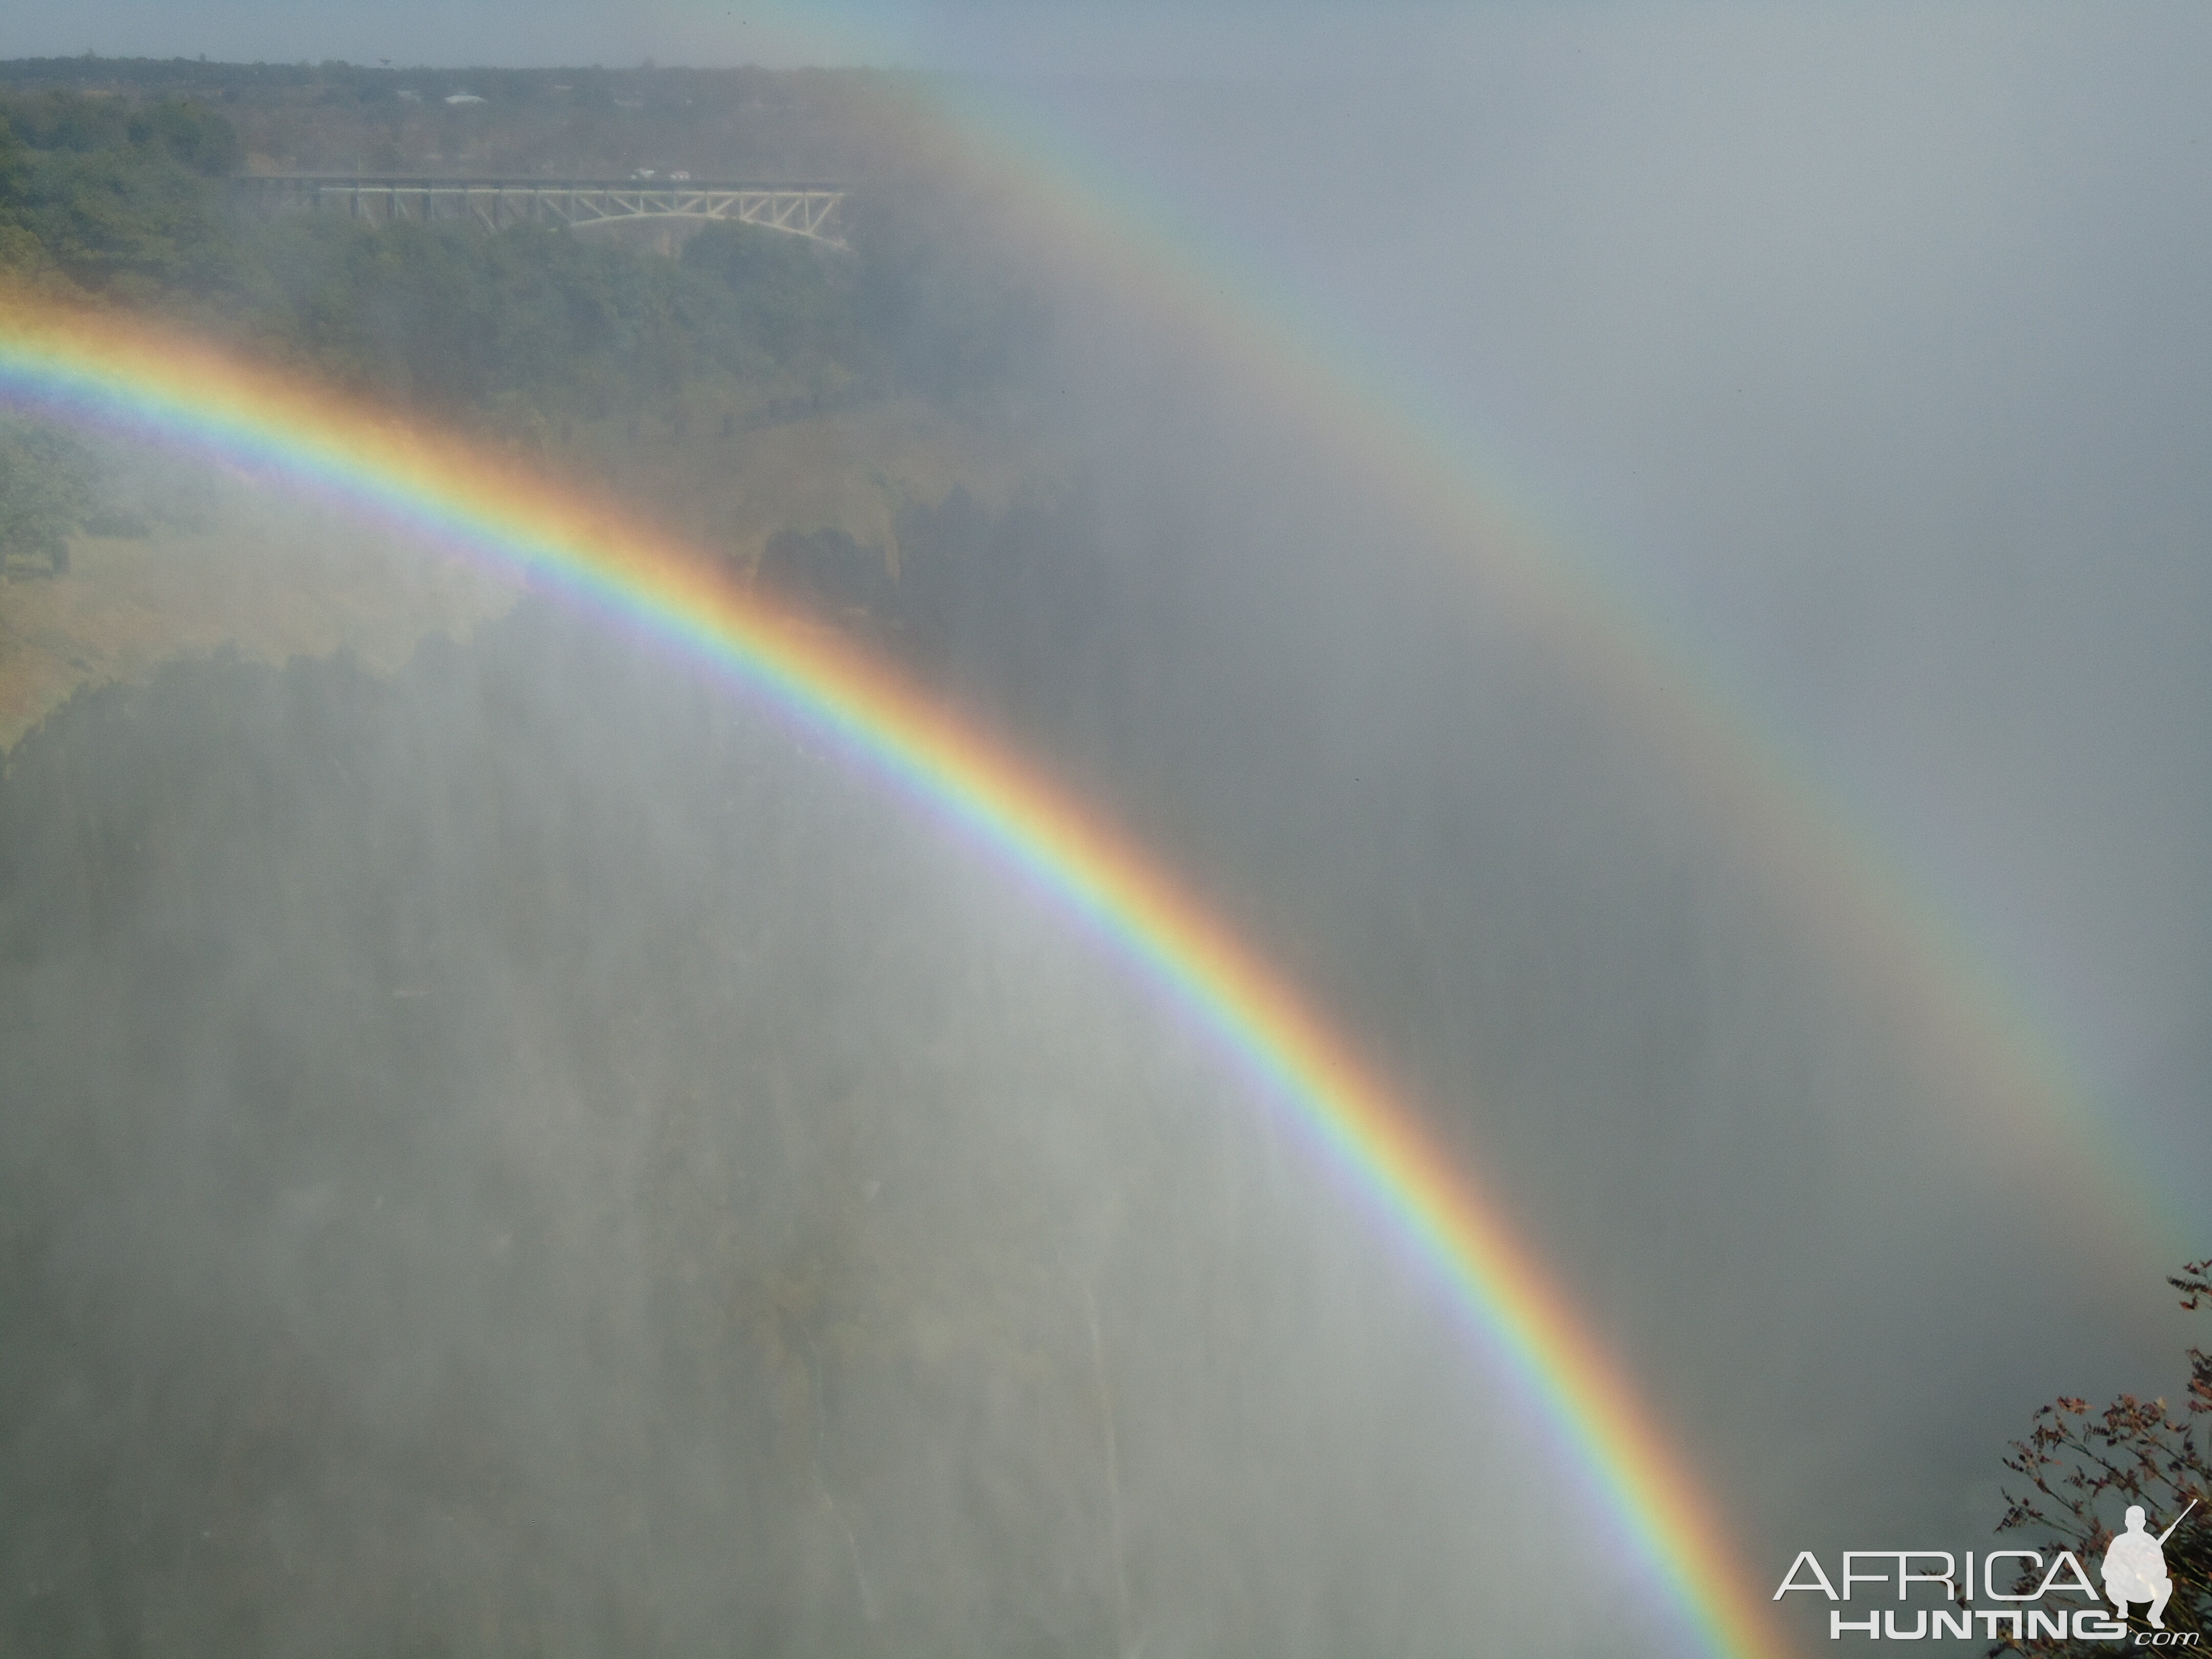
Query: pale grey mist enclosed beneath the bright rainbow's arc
[[528, 1158]]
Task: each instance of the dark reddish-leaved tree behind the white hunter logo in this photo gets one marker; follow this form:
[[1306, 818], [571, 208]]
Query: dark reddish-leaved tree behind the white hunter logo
[[2085, 1468]]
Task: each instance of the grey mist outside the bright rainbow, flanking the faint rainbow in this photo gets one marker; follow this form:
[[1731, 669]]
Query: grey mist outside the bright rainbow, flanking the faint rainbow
[[1859, 359]]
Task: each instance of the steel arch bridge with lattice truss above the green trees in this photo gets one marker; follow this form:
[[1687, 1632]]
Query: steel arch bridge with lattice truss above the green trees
[[656, 207]]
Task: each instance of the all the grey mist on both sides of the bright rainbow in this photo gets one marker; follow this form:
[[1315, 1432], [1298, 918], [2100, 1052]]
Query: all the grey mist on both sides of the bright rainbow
[[510, 1147]]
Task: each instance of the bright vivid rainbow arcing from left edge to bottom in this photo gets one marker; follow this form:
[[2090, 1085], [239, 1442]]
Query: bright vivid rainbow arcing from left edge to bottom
[[125, 377]]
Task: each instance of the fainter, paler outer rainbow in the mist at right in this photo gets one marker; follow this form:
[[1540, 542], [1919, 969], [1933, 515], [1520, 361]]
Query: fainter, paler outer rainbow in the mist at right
[[2021, 1100]]
